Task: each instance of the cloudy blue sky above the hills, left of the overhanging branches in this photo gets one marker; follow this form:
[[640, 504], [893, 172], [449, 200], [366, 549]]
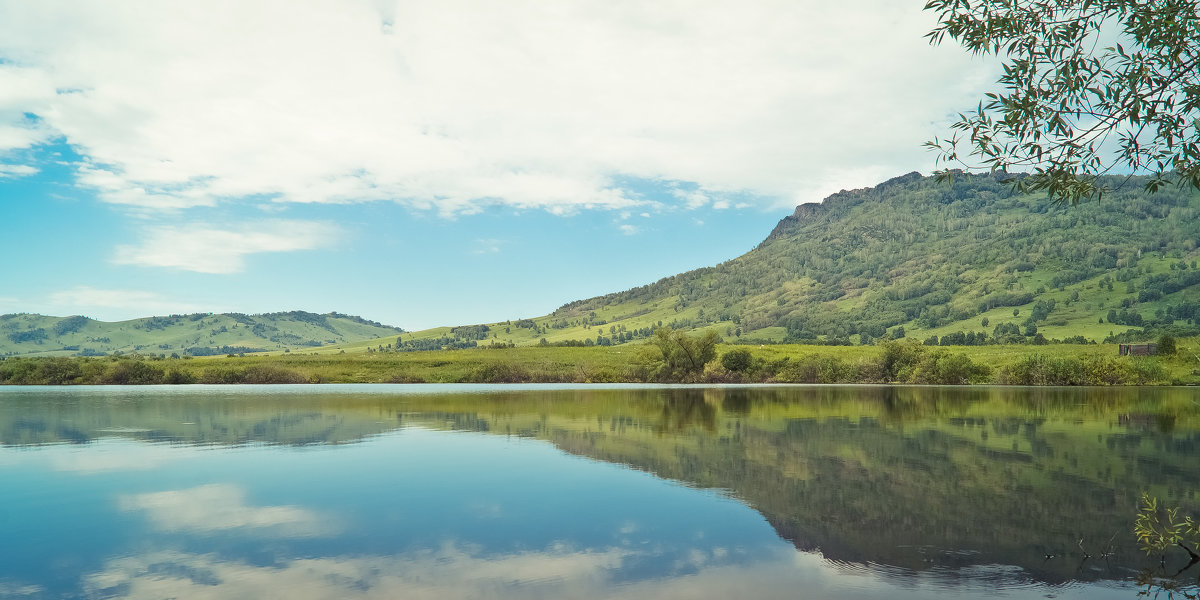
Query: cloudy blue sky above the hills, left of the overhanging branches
[[436, 164]]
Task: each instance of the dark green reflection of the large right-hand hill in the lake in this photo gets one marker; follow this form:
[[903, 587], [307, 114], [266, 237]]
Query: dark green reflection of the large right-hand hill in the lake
[[920, 477]]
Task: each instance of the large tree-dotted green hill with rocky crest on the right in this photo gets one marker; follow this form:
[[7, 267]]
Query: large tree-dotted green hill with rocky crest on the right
[[969, 259]]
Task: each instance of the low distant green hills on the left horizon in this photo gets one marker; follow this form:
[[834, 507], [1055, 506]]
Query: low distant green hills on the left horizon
[[196, 335]]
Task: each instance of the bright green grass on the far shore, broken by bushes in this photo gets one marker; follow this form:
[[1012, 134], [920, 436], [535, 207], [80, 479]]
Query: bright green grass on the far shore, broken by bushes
[[542, 364]]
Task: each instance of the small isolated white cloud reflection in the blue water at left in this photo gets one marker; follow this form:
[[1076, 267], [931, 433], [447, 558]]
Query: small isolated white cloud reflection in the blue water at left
[[223, 507]]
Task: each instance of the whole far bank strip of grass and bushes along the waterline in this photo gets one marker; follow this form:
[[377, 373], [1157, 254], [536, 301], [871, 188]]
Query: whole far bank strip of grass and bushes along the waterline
[[887, 363]]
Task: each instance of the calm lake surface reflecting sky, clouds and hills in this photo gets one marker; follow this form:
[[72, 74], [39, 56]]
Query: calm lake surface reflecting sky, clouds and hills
[[394, 491]]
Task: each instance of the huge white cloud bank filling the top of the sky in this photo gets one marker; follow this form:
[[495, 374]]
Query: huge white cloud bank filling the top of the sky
[[455, 105]]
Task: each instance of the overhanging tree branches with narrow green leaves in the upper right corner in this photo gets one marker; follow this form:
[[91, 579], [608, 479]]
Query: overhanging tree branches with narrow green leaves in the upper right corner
[[1071, 92]]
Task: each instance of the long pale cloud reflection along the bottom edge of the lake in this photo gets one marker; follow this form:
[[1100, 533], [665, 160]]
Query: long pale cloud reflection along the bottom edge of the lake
[[555, 573]]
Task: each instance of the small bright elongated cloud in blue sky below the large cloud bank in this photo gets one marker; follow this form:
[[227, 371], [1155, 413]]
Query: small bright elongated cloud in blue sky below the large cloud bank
[[207, 249]]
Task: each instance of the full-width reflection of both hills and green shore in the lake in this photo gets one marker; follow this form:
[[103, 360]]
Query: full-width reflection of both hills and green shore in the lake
[[916, 478]]
